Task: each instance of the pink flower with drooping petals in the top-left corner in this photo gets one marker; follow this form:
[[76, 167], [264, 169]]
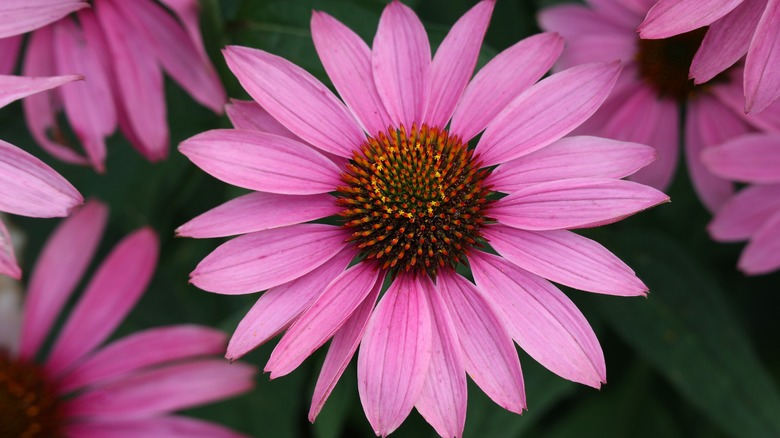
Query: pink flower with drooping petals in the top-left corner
[[122, 48]]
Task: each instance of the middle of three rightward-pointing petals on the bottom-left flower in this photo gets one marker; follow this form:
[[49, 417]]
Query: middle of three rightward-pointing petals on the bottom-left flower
[[162, 390]]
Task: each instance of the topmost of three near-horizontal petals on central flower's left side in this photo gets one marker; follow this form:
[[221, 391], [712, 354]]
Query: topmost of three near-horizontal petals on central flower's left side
[[260, 161]]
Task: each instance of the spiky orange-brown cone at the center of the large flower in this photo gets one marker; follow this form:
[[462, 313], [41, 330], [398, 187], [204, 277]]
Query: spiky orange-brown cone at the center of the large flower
[[414, 201]]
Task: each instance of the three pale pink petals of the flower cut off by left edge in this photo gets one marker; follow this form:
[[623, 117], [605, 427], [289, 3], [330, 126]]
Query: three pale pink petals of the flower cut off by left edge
[[28, 187]]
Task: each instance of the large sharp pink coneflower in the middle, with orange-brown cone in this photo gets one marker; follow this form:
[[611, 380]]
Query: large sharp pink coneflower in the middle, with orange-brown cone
[[397, 196]]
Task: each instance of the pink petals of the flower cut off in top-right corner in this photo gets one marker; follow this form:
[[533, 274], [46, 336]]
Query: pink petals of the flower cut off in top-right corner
[[736, 27]]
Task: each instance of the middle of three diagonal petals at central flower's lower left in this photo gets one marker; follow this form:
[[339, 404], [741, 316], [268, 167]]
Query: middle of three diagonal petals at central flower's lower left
[[326, 315]]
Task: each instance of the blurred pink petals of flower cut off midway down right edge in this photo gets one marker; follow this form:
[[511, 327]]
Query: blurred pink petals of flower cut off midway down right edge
[[753, 213]]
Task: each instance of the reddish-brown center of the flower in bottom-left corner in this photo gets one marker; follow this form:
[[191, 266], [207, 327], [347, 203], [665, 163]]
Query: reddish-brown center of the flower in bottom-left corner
[[28, 404]]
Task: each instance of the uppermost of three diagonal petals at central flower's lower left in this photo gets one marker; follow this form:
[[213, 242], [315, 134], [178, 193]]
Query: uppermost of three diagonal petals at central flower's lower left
[[281, 305]]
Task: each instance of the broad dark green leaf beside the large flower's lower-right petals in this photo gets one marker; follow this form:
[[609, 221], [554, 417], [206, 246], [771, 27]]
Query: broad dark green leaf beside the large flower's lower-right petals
[[687, 330]]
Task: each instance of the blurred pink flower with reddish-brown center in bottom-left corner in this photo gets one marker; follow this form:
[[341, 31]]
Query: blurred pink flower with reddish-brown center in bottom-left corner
[[125, 388]]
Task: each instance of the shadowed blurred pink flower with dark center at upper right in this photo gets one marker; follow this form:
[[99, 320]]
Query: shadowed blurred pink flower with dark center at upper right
[[645, 104]]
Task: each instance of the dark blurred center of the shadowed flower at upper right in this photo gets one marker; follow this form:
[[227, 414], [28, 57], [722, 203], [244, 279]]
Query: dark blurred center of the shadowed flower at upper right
[[664, 64]]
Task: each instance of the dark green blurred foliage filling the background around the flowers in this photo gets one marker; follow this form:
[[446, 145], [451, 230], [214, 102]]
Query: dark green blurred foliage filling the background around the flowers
[[698, 357]]
